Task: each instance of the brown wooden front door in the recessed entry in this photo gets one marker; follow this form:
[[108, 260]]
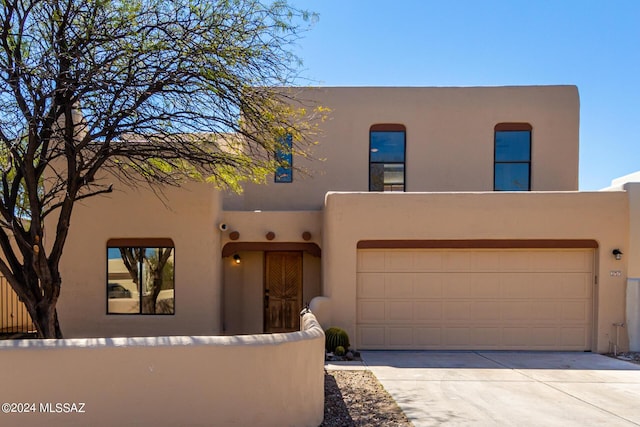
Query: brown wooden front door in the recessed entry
[[282, 291]]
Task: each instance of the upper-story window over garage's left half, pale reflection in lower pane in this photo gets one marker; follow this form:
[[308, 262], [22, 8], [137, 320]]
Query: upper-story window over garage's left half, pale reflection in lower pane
[[387, 144]]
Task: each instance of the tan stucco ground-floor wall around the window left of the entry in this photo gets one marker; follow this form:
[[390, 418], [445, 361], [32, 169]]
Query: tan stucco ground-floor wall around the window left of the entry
[[188, 215]]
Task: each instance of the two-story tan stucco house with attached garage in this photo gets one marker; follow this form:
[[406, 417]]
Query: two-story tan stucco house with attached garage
[[432, 218]]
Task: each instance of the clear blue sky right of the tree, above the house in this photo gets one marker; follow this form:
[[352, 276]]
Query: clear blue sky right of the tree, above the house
[[592, 44]]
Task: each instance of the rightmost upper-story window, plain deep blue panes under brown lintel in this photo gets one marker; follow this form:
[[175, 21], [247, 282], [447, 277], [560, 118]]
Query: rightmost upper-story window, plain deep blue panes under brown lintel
[[512, 157]]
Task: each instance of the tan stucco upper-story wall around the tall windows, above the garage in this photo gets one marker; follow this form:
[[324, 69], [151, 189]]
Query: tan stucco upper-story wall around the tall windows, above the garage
[[449, 134]]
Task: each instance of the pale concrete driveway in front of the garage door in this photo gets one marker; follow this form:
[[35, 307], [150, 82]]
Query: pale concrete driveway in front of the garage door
[[509, 388]]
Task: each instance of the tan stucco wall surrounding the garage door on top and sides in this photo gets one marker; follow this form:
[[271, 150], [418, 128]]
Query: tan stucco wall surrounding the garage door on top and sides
[[602, 217]]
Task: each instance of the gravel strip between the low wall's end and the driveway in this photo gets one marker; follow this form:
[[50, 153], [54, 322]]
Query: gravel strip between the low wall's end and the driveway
[[356, 398]]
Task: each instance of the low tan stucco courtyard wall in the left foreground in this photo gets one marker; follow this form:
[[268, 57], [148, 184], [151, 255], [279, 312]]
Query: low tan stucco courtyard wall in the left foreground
[[268, 380]]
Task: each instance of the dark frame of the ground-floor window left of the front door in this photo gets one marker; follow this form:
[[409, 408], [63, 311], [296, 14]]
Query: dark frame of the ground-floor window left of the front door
[[140, 243]]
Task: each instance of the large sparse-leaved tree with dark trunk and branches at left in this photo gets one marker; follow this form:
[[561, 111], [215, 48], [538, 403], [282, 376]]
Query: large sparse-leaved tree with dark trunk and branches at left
[[152, 92]]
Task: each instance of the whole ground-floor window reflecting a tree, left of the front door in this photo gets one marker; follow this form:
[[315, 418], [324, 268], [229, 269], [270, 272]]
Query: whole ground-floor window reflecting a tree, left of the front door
[[140, 276]]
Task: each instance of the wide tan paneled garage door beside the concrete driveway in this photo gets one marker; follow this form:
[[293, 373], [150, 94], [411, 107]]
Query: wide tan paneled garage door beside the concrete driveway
[[505, 299]]
